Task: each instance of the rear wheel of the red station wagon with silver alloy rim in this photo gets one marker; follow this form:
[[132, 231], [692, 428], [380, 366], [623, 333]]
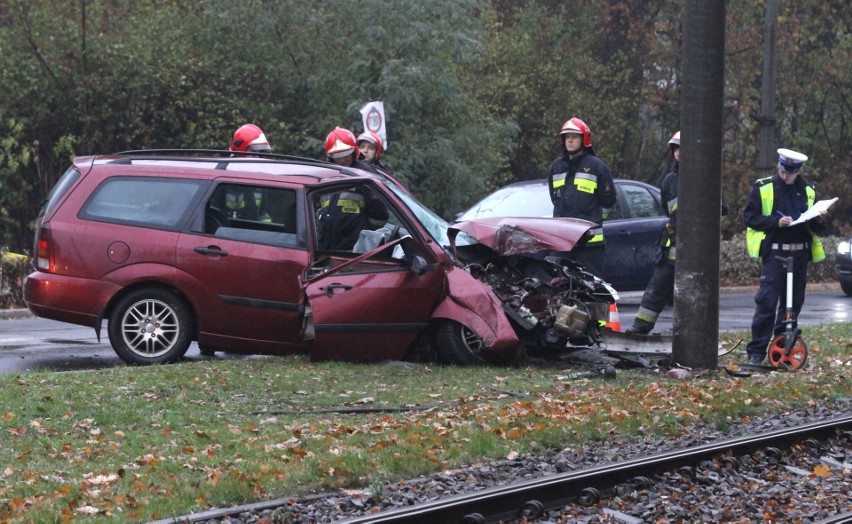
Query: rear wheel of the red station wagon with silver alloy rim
[[150, 326]]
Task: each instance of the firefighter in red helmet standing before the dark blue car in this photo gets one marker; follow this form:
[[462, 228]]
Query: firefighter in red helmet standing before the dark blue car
[[581, 186]]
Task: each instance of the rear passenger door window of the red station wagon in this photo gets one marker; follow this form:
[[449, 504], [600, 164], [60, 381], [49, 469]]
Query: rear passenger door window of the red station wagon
[[252, 213]]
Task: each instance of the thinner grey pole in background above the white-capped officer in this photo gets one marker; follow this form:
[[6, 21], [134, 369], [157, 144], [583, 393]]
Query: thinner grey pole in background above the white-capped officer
[[766, 147]]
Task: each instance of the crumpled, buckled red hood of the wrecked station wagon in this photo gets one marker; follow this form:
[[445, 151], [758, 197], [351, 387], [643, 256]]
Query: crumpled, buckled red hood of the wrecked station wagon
[[517, 236]]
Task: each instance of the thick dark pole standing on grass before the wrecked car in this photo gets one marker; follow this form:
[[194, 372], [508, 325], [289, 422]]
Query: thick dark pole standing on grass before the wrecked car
[[696, 321]]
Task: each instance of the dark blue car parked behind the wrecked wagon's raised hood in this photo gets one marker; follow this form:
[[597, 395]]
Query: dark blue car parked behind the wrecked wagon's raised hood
[[631, 229]]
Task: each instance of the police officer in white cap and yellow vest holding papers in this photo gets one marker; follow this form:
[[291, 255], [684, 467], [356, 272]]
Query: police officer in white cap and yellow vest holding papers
[[774, 204]]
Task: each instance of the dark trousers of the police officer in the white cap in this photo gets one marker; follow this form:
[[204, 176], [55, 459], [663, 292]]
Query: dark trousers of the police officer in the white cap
[[771, 299]]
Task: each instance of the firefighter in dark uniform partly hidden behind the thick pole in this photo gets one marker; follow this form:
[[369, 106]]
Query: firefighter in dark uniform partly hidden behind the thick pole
[[662, 283]]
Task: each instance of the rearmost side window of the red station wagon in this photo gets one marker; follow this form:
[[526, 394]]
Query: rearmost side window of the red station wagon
[[161, 203]]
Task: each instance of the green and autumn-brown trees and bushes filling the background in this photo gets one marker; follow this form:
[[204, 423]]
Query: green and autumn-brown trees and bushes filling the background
[[474, 90]]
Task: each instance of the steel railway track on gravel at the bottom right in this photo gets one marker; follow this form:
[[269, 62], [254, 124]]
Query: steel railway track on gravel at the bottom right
[[530, 500]]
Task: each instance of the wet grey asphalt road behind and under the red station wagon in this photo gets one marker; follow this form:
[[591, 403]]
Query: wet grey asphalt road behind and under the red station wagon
[[34, 344]]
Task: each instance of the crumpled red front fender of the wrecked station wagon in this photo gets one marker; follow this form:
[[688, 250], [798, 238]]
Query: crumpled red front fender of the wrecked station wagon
[[472, 303]]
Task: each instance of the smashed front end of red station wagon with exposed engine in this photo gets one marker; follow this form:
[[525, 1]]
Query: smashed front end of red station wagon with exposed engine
[[548, 301]]
